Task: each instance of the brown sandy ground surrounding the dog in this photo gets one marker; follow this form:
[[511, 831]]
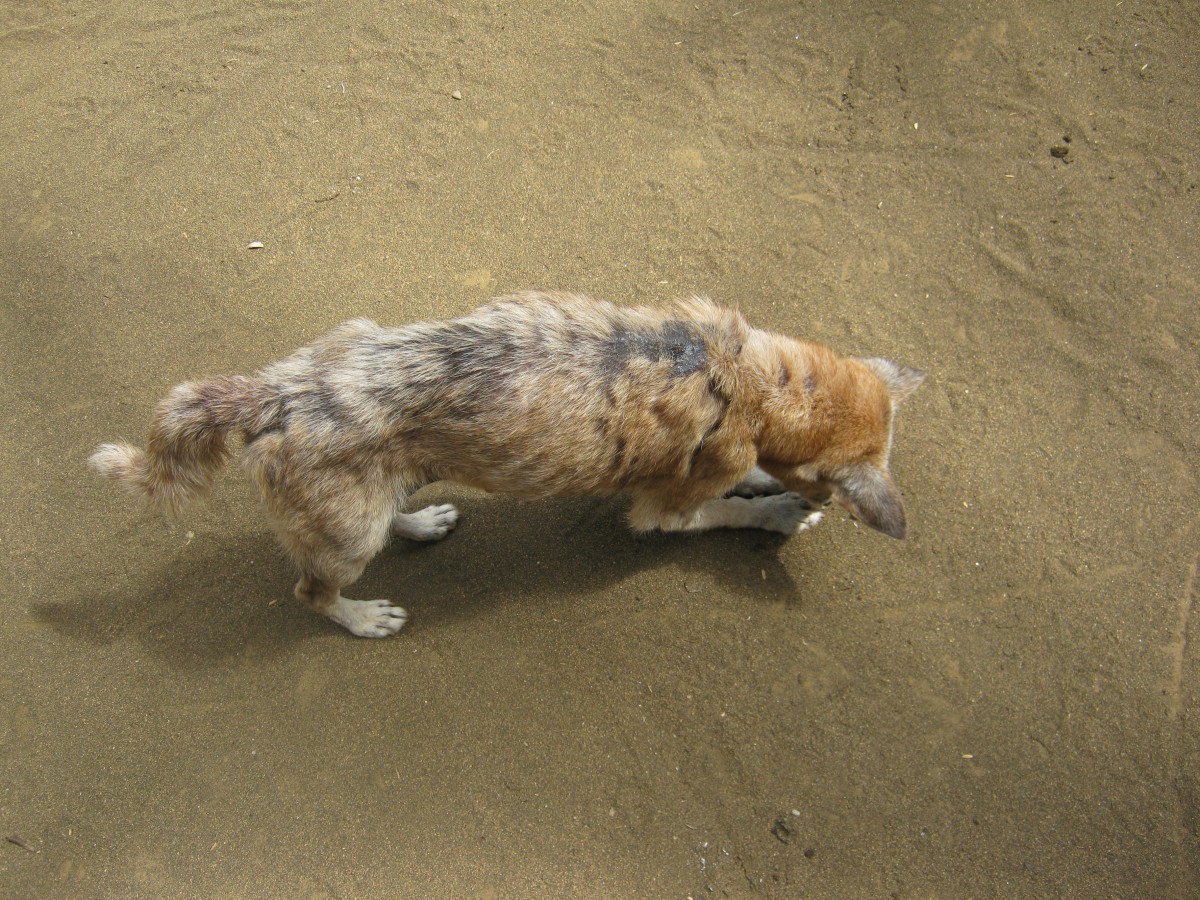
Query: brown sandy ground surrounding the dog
[[1004, 705]]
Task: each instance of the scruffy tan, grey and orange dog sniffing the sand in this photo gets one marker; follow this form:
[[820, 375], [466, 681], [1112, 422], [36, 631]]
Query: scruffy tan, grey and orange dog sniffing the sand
[[706, 422]]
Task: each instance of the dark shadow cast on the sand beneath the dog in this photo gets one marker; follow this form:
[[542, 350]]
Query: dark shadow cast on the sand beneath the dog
[[226, 596]]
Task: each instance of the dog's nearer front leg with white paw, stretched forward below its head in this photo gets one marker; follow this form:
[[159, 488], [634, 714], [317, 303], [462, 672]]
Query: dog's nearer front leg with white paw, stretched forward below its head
[[785, 513]]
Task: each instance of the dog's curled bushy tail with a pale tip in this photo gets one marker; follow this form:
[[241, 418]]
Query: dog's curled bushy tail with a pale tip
[[188, 442]]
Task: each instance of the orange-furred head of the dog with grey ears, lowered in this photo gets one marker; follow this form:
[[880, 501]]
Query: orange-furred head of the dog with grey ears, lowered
[[829, 435]]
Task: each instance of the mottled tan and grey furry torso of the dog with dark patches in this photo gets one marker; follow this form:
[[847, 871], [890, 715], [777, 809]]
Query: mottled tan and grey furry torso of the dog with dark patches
[[533, 394]]
